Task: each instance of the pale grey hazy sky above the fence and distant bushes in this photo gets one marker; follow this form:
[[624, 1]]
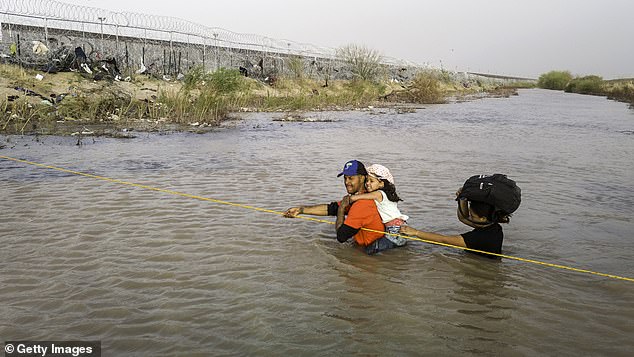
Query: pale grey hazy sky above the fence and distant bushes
[[513, 37]]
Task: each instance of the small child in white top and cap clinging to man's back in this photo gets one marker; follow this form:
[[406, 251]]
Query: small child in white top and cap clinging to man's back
[[380, 187]]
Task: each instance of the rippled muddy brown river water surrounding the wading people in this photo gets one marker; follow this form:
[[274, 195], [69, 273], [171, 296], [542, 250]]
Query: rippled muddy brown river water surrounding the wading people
[[150, 273]]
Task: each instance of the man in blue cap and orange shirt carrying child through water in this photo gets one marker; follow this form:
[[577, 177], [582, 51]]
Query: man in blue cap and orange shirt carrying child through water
[[352, 217]]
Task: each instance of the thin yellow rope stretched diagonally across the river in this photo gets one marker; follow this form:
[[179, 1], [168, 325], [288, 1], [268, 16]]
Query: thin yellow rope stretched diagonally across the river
[[187, 195]]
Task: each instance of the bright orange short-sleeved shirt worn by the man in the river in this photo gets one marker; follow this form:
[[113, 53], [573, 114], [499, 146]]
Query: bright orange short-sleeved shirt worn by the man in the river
[[363, 214]]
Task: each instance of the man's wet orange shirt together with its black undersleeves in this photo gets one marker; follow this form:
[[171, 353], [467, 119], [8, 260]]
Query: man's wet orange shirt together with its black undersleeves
[[361, 214]]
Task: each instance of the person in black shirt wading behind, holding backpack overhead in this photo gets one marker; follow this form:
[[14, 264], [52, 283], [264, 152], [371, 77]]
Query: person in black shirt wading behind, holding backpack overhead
[[486, 236]]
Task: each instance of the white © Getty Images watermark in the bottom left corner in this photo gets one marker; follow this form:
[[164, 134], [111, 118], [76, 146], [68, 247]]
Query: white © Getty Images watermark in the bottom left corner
[[52, 348]]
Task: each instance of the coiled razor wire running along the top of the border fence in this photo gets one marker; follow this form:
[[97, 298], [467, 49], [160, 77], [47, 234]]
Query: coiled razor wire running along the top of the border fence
[[107, 23]]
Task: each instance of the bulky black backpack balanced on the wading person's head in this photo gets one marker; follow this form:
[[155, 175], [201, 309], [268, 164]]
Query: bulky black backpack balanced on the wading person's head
[[497, 190]]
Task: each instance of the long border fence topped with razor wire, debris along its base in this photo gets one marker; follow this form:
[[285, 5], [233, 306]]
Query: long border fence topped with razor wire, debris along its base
[[37, 32]]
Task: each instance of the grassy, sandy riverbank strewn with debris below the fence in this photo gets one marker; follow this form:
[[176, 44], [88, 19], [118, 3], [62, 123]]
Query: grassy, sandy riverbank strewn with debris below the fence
[[66, 103]]
